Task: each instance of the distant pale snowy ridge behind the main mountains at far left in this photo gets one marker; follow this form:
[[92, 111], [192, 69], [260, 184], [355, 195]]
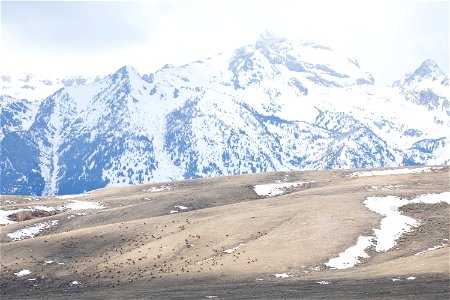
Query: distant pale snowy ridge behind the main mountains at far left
[[35, 87]]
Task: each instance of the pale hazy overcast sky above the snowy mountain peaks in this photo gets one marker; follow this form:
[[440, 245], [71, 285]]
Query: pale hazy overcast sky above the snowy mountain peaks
[[388, 38]]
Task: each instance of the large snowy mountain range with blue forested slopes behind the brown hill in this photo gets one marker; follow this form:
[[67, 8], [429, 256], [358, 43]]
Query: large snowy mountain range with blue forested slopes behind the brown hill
[[276, 104]]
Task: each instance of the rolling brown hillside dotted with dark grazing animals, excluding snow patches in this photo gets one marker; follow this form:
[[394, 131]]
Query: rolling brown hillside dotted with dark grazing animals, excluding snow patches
[[218, 237]]
